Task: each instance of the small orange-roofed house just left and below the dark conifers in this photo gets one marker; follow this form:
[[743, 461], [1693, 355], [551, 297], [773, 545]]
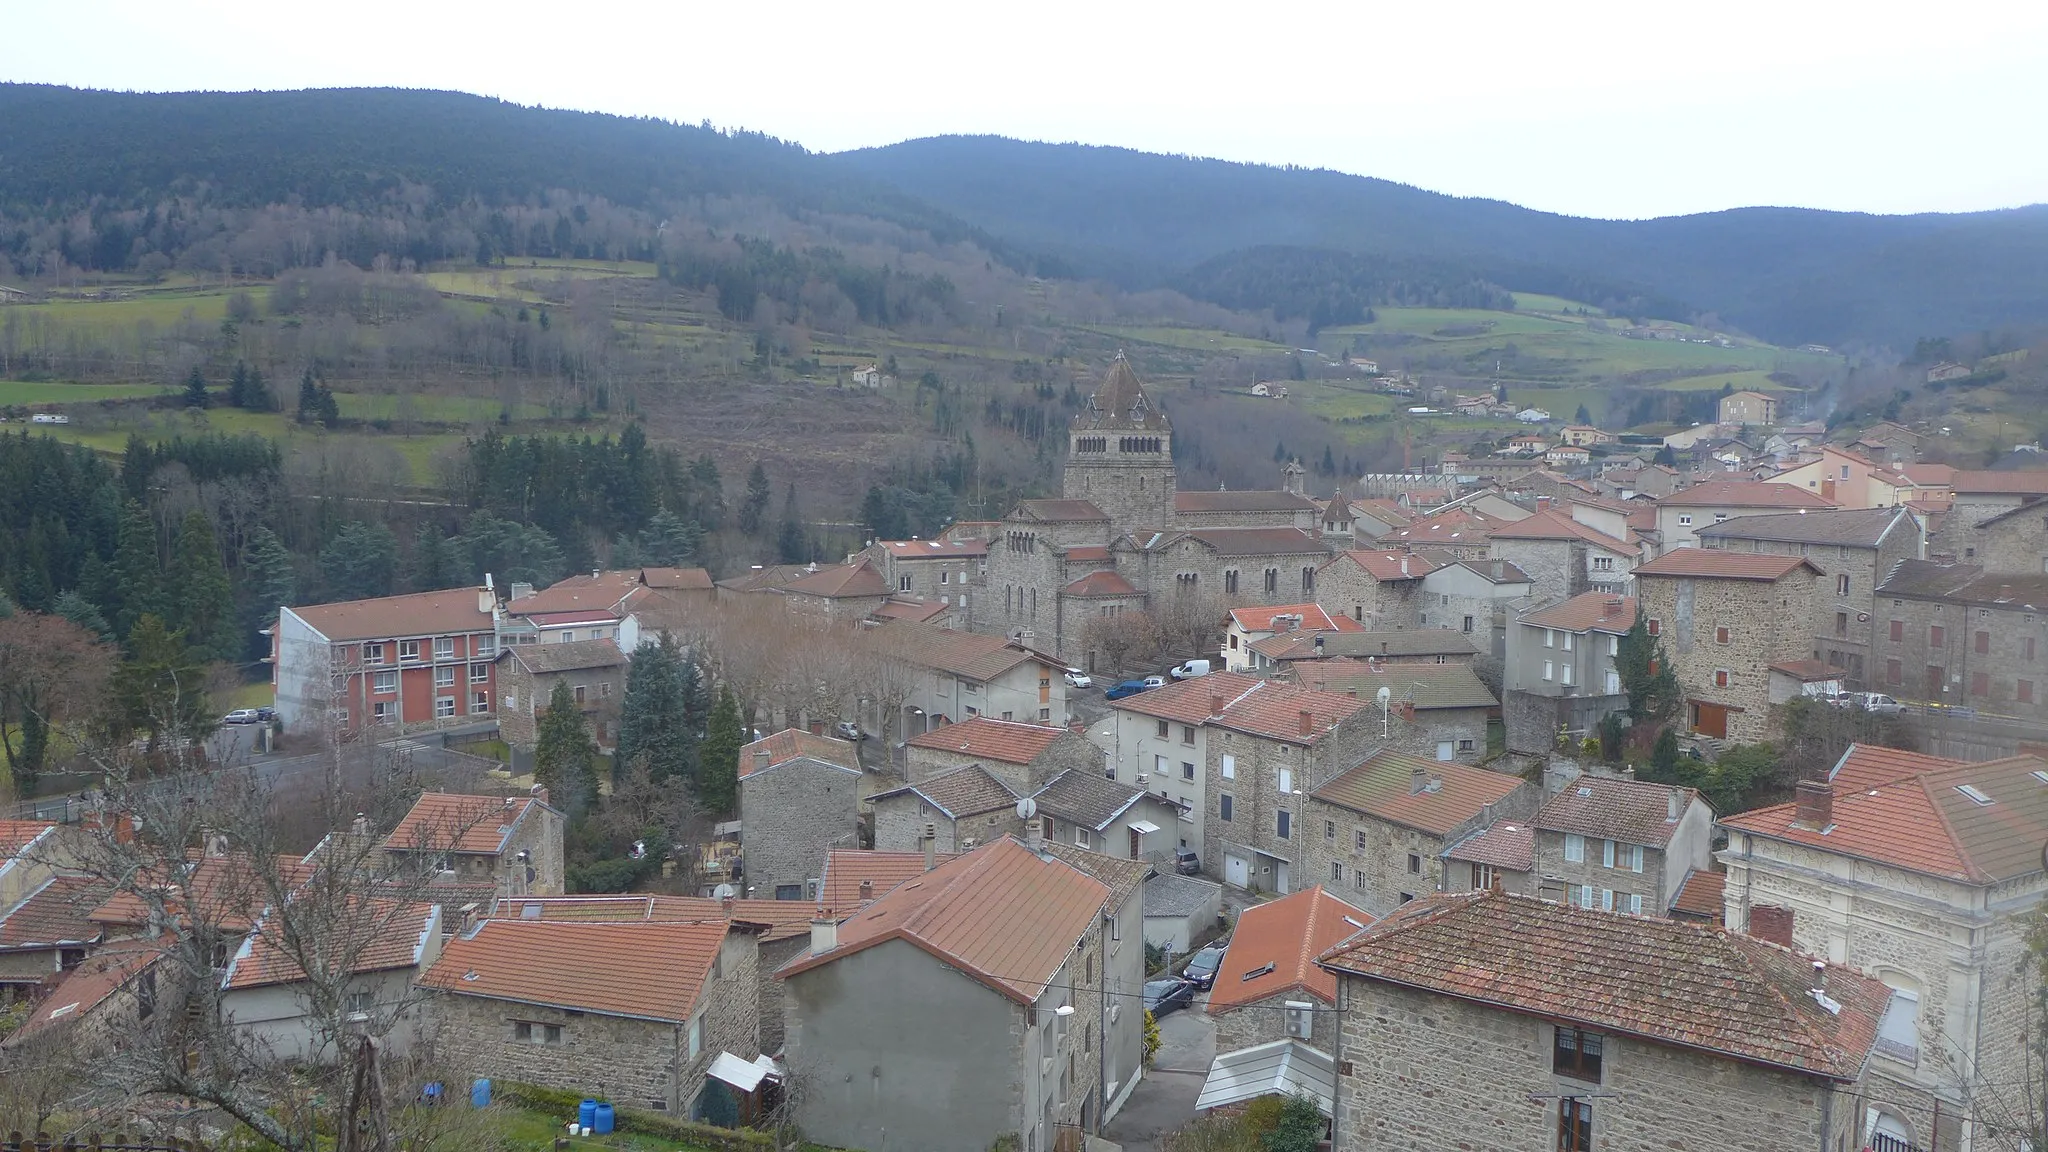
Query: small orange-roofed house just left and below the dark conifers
[[511, 841]]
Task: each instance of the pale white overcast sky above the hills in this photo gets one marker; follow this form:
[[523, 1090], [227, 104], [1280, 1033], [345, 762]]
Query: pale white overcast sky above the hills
[[1590, 110]]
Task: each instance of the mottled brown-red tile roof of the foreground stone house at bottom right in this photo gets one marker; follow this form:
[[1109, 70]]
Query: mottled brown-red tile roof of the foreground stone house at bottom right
[[1662, 981]]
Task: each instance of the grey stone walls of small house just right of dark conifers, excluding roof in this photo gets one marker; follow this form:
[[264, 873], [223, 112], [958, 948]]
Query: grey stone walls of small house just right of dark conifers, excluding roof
[[792, 817]]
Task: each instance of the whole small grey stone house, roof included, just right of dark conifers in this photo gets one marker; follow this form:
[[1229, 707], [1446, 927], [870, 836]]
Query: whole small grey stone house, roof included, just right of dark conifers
[[794, 809]]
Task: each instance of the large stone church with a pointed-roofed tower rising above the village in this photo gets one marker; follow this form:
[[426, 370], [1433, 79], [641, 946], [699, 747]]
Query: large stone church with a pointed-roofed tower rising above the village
[[1123, 536]]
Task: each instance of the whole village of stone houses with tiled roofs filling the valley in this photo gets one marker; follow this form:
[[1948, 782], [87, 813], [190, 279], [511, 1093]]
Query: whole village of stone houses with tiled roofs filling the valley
[[1584, 794]]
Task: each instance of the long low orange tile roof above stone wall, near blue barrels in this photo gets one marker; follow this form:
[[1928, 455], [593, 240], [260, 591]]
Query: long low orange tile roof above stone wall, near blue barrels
[[640, 971]]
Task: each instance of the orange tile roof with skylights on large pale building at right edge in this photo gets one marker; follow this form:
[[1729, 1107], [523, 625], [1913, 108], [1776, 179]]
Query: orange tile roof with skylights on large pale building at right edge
[[1926, 823]]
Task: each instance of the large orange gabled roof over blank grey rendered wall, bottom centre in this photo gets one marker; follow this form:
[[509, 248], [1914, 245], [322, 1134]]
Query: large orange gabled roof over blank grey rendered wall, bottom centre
[[1000, 915]]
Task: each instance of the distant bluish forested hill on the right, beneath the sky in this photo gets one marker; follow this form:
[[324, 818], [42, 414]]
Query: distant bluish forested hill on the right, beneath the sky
[[1789, 276]]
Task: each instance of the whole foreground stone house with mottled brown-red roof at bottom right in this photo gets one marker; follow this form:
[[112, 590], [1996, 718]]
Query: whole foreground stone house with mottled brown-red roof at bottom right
[[1590, 1030]]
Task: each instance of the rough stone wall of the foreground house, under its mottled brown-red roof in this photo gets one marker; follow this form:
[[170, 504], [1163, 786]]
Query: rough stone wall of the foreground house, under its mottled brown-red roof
[[1431, 1073]]
